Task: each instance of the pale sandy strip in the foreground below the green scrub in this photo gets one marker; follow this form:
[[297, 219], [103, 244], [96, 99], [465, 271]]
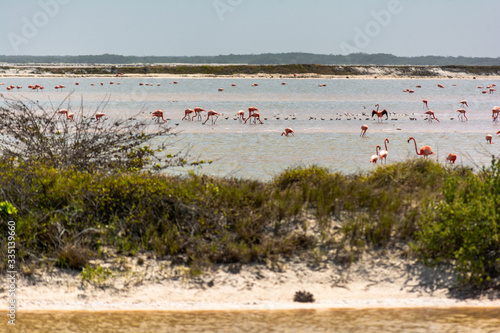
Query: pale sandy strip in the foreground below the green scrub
[[377, 281]]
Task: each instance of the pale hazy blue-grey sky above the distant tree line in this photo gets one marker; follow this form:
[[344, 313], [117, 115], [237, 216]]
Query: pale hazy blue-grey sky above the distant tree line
[[213, 27]]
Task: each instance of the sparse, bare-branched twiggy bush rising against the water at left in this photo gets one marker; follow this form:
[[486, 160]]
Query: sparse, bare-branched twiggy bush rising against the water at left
[[33, 133]]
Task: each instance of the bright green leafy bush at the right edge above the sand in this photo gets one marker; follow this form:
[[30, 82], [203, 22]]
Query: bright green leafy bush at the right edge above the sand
[[464, 228]]
